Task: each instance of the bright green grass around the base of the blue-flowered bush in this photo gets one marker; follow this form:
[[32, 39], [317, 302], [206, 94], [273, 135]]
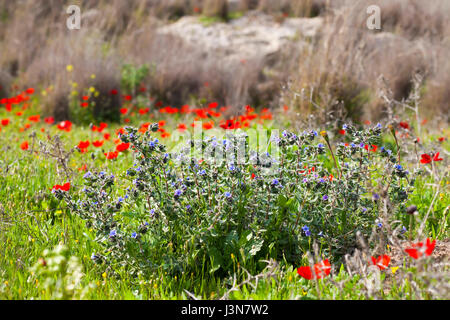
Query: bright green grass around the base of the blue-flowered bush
[[32, 220]]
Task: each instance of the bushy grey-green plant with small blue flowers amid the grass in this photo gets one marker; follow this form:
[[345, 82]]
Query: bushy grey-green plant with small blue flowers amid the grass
[[185, 211]]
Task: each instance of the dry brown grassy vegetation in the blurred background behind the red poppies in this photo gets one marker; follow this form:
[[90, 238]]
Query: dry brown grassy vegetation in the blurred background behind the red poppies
[[339, 74]]
